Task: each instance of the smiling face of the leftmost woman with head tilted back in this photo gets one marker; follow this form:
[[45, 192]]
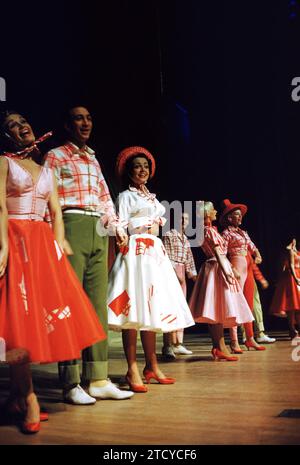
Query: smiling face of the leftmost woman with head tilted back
[[19, 130]]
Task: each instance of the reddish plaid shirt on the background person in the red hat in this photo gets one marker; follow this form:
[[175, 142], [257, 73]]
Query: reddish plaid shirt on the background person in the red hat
[[237, 241]]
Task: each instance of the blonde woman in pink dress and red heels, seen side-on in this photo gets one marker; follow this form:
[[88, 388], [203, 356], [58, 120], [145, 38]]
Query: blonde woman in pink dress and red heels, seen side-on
[[217, 298]]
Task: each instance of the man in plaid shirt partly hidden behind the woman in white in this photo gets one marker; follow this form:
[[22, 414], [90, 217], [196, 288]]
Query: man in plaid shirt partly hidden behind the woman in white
[[180, 254]]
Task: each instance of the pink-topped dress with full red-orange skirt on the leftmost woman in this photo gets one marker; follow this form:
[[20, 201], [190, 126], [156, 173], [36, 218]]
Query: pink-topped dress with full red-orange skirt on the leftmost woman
[[43, 307]]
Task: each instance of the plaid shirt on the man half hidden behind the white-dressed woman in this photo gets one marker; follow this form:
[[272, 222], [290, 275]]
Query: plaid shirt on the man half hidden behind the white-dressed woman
[[179, 250]]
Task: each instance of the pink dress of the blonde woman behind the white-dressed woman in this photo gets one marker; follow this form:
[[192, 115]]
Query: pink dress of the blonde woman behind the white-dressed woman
[[213, 300]]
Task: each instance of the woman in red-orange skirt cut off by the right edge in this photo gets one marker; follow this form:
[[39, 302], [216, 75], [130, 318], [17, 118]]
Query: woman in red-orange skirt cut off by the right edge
[[286, 300]]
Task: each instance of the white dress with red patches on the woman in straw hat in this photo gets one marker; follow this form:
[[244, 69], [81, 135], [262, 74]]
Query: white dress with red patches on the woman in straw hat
[[143, 291]]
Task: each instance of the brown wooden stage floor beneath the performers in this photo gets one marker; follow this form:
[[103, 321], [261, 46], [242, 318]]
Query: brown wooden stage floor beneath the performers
[[211, 402]]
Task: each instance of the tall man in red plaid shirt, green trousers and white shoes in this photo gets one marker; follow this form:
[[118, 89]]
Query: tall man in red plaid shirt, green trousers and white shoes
[[87, 211]]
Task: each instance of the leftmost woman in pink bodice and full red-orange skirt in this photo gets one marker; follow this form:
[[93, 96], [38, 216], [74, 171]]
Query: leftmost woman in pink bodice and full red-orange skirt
[[43, 307]]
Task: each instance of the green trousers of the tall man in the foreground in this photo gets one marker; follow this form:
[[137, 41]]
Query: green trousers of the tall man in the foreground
[[89, 261]]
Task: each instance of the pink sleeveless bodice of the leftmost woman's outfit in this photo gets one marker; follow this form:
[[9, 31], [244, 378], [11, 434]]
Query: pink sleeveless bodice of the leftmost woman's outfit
[[26, 199]]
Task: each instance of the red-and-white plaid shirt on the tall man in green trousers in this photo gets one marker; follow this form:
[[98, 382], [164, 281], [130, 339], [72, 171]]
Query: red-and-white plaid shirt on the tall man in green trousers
[[80, 181]]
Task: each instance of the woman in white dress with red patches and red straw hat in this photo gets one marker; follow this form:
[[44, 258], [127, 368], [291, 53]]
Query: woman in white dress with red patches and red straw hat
[[144, 293]]
